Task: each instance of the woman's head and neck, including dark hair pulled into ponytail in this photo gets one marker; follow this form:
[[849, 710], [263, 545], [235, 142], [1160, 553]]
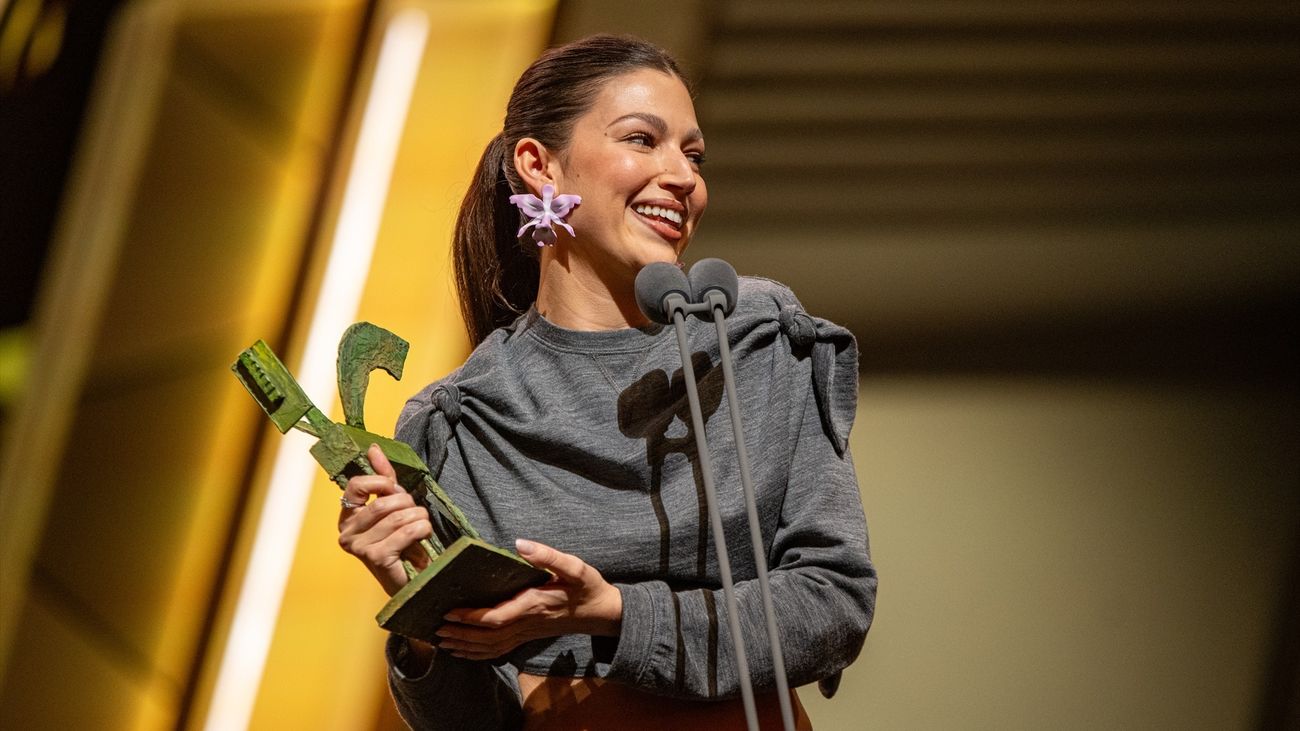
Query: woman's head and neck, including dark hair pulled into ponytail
[[610, 120]]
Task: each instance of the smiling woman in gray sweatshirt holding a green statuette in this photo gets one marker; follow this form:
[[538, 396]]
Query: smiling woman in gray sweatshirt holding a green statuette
[[565, 434]]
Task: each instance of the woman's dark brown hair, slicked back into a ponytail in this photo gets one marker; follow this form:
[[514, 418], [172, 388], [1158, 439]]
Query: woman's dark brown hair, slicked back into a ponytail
[[497, 274]]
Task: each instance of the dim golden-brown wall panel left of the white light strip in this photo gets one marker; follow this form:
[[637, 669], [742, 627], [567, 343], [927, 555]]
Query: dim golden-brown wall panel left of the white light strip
[[181, 239]]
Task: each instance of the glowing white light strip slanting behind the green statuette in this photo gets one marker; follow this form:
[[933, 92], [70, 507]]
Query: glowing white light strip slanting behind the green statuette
[[294, 472]]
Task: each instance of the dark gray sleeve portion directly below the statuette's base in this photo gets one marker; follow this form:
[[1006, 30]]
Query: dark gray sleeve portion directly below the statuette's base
[[454, 695]]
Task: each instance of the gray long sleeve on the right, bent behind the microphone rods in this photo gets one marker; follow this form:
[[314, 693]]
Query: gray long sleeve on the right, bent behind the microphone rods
[[824, 586]]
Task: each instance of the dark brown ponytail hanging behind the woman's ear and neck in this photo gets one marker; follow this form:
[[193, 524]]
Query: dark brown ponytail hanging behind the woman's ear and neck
[[496, 276]]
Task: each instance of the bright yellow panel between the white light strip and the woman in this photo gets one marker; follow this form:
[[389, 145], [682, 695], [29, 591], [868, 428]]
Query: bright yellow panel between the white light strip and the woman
[[326, 669]]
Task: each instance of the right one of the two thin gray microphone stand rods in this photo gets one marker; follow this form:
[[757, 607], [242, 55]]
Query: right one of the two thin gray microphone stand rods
[[783, 694]]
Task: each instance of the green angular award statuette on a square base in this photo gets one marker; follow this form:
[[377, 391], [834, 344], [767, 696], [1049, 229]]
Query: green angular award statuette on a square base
[[465, 572]]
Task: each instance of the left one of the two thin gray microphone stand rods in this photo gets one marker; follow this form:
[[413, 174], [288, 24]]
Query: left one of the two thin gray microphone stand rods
[[716, 518]]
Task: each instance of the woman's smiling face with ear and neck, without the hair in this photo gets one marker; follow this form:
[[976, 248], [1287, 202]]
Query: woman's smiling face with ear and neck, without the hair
[[635, 161]]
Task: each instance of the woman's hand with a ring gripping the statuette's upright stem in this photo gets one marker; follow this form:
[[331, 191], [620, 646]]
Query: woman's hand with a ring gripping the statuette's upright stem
[[387, 530]]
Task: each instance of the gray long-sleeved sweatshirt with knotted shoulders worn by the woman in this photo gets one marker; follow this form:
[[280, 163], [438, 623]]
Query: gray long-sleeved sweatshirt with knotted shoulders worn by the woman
[[582, 440]]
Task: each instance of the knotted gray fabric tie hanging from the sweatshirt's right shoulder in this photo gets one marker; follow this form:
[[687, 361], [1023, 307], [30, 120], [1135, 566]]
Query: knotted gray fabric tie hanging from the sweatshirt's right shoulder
[[835, 369]]
